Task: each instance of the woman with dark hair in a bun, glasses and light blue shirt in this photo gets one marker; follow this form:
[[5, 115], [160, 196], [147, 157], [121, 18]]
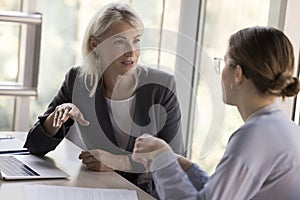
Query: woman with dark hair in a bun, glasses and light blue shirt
[[262, 158]]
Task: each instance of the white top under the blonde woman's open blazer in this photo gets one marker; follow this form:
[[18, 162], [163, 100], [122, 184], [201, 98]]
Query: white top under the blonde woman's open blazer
[[121, 113]]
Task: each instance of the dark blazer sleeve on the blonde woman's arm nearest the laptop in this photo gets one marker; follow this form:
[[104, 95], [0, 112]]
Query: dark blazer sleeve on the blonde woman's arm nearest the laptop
[[38, 142]]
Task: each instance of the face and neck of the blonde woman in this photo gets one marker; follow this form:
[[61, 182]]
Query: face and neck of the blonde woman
[[120, 49]]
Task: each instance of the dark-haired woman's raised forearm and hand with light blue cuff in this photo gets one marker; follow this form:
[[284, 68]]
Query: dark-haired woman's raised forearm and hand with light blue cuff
[[156, 154]]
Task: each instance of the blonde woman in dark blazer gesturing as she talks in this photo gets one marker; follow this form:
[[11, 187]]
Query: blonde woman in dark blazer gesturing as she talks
[[113, 99]]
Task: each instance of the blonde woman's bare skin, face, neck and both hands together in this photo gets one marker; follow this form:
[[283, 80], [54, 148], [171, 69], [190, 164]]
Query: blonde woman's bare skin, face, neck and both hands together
[[119, 52]]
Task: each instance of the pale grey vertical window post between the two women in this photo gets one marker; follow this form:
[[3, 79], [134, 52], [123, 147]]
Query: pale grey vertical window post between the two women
[[186, 75]]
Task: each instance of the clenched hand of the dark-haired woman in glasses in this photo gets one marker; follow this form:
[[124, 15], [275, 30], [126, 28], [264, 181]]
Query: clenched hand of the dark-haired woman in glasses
[[147, 148]]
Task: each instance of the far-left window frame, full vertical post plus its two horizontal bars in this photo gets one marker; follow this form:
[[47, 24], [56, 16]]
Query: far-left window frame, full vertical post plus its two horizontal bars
[[29, 57]]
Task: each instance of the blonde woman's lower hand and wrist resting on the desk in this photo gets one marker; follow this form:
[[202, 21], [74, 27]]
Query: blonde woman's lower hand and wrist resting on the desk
[[99, 160]]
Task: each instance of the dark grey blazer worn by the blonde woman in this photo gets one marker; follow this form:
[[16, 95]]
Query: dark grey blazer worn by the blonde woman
[[156, 112]]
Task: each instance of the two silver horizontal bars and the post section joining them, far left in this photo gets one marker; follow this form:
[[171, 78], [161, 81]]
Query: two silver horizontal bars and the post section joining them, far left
[[30, 41]]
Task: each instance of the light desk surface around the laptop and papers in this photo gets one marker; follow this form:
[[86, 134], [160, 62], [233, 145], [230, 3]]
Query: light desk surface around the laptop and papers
[[65, 157]]
